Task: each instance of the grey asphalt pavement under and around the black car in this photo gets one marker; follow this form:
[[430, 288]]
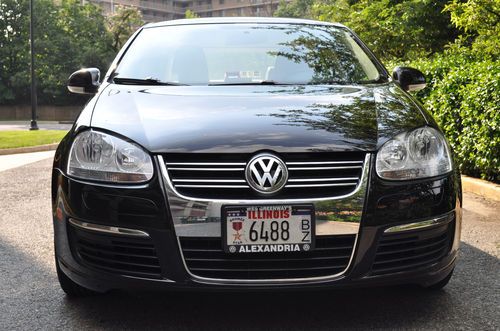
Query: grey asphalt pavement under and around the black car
[[30, 297]]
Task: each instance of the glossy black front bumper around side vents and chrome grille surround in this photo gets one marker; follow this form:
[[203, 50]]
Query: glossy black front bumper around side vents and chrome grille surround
[[145, 208]]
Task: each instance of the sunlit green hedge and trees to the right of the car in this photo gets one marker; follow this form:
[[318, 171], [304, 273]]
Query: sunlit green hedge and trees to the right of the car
[[455, 43]]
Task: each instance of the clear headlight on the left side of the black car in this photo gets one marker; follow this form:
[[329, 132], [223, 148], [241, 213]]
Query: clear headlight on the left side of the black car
[[102, 157]]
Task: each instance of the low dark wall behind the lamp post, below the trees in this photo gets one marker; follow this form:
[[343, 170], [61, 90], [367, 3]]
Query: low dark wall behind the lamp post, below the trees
[[44, 113]]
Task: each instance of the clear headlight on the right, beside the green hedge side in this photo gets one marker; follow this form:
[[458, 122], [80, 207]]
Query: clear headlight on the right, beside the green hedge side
[[418, 154]]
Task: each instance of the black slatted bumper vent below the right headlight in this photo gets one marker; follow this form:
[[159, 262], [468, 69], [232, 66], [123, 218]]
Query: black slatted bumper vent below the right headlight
[[411, 250]]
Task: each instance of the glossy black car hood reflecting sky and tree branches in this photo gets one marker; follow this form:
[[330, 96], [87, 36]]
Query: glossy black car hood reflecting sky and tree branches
[[250, 118]]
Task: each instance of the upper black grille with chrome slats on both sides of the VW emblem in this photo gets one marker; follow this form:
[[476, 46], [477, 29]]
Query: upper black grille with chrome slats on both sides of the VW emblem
[[222, 176]]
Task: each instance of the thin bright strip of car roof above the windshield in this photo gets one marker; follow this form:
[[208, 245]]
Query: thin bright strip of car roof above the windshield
[[232, 20]]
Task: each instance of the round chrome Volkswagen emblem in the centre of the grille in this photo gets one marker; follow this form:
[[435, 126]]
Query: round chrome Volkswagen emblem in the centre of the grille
[[266, 173]]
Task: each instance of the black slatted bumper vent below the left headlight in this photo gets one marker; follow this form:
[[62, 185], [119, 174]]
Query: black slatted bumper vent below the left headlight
[[121, 255]]
